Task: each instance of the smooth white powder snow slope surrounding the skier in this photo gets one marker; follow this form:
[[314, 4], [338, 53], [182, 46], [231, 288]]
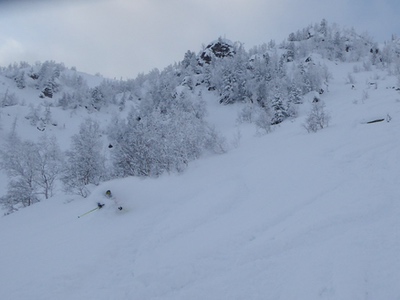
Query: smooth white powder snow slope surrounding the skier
[[287, 215]]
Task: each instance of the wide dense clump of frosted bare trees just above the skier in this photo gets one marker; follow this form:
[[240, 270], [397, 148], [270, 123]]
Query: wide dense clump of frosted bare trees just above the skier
[[161, 138]]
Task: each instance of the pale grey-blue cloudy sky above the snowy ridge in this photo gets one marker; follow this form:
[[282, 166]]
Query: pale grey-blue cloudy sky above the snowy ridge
[[121, 38]]
